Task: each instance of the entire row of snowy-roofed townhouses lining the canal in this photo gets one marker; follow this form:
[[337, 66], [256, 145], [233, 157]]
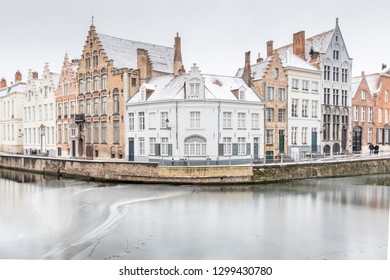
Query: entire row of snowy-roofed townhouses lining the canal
[[129, 100]]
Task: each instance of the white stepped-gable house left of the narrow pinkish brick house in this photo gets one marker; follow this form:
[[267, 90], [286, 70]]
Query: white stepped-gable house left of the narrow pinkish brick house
[[39, 113]]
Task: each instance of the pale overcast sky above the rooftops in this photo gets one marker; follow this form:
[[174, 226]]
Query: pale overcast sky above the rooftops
[[215, 33]]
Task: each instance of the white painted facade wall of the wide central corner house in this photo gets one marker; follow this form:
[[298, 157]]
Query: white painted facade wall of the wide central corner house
[[211, 126]]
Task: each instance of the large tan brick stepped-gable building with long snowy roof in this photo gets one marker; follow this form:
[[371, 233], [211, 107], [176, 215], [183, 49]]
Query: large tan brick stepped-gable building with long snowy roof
[[110, 71]]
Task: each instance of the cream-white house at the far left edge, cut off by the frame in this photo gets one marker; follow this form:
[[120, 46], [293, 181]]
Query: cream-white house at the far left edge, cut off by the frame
[[11, 115]]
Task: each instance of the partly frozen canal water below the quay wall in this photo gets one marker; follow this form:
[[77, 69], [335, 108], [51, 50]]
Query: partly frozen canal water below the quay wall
[[42, 217]]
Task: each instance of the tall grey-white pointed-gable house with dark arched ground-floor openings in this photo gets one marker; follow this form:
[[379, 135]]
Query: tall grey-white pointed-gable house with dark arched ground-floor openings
[[328, 52]]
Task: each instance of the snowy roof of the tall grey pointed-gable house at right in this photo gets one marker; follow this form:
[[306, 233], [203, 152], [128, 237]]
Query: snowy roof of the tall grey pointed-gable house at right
[[319, 43]]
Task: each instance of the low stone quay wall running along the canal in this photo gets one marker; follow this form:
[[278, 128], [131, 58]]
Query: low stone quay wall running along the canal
[[153, 173]]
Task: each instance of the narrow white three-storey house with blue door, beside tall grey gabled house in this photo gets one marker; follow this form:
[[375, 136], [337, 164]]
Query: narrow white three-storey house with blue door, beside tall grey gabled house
[[304, 105]]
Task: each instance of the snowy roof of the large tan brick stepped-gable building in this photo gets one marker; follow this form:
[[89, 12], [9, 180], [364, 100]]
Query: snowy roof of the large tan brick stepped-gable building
[[124, 53]]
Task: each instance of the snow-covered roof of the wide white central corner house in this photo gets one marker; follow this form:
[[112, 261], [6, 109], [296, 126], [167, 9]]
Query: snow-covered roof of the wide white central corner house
[[216, 87]]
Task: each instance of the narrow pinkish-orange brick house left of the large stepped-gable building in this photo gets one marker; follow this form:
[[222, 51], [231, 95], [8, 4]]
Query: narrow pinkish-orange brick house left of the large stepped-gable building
[[66, 109]]
